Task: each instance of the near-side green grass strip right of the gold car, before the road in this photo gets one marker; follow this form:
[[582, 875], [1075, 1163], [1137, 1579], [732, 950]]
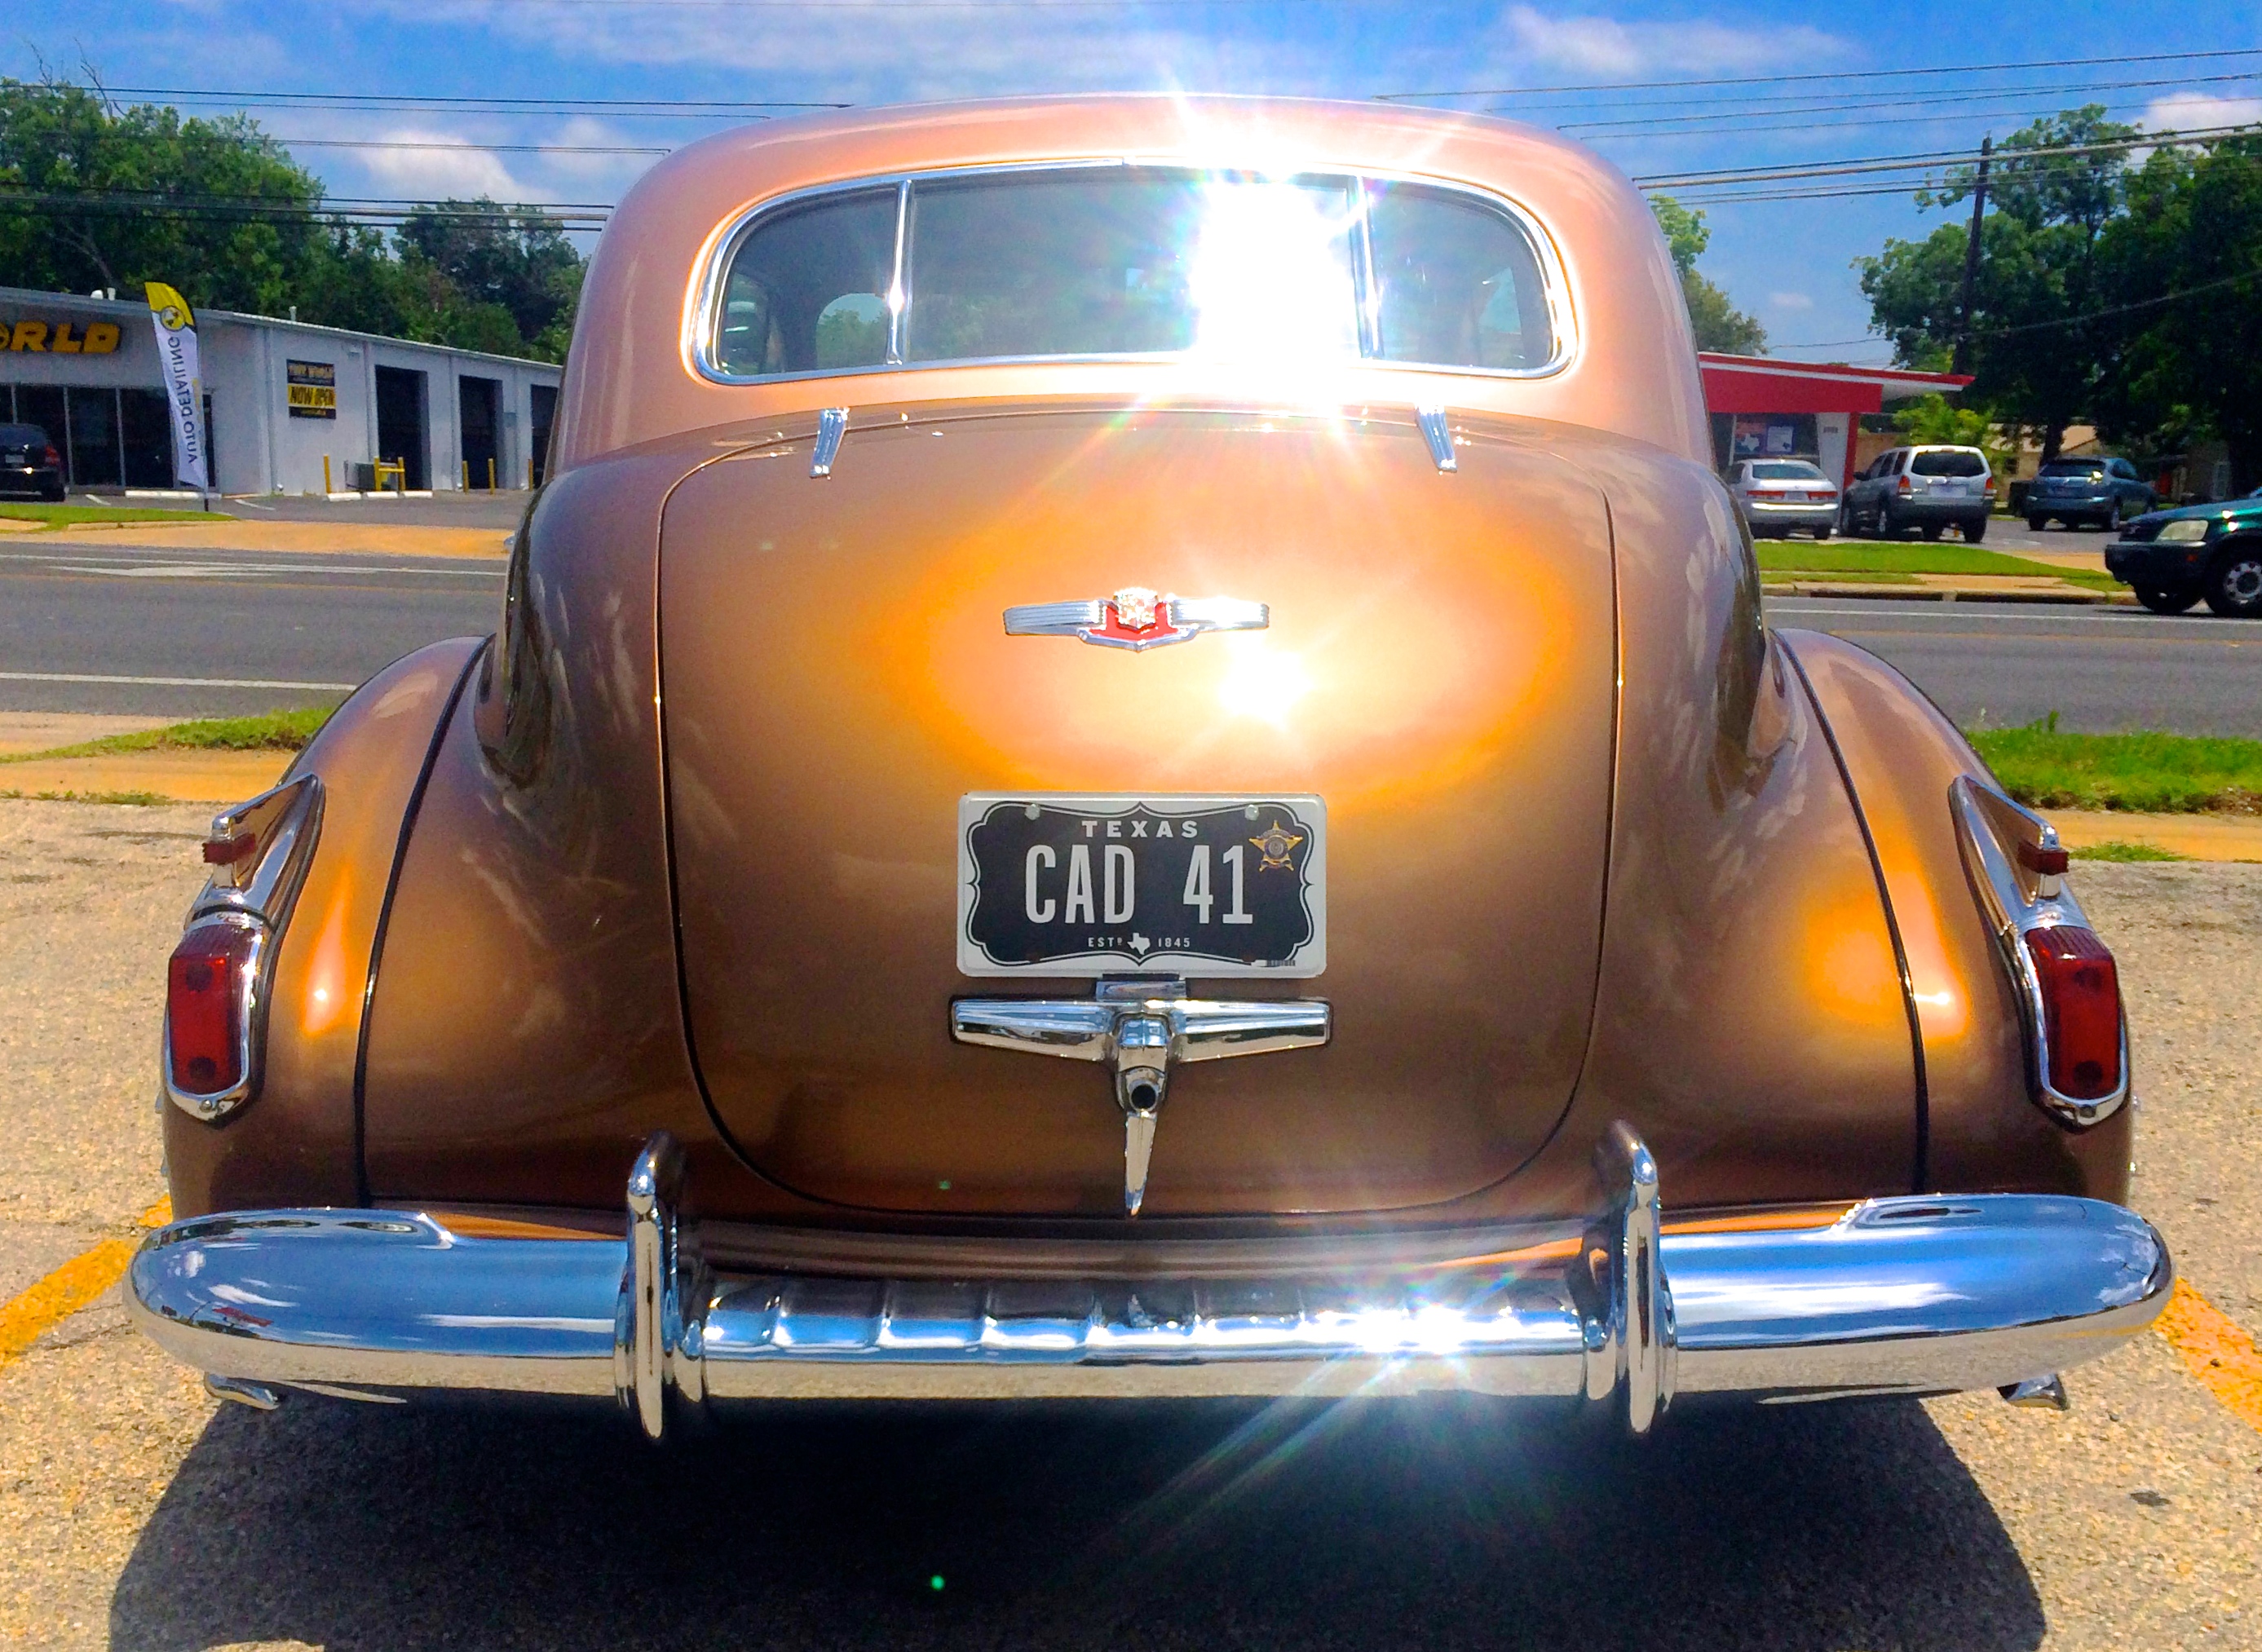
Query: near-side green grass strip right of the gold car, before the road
[[2148, 773]]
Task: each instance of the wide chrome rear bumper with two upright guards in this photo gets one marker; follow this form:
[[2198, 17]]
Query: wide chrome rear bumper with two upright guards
[[1915, 1296]]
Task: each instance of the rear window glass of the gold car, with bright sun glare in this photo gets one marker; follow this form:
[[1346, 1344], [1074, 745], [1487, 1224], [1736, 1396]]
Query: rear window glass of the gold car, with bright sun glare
[[1132, 261]]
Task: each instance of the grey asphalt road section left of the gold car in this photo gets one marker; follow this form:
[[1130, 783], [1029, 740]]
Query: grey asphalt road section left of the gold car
[[218, 633]]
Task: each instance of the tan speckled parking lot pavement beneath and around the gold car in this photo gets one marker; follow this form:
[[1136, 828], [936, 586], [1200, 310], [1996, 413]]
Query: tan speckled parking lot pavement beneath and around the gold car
[[135, 1513]]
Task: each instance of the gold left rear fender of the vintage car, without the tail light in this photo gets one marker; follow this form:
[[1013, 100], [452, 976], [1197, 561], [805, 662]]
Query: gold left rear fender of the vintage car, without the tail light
[[295, 1142]]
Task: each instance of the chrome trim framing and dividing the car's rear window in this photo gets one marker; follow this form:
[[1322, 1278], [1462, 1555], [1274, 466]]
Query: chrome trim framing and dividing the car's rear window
[[702, 316]]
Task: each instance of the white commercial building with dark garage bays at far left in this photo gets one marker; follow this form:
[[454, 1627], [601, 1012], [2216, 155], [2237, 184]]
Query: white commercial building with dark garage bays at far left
[[279, 402]]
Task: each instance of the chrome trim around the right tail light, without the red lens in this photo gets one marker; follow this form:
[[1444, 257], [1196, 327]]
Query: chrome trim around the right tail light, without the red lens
[[2014, 900]]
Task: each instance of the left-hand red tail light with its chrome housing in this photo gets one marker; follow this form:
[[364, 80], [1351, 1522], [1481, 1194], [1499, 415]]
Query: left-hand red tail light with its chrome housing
[[218, 979]]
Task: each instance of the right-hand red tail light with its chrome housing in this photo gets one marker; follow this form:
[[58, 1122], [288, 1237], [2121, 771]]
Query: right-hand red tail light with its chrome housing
[[2062, 972]]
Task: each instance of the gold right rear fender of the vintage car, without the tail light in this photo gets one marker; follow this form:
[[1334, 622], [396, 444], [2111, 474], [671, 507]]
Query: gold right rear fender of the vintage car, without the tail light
[[1983, 1133]]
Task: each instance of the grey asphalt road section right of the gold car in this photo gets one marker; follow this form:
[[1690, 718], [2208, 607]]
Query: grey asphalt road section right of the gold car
[[2100, 669]]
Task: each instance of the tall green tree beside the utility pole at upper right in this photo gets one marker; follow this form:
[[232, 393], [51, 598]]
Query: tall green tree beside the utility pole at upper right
[[2035, 354]]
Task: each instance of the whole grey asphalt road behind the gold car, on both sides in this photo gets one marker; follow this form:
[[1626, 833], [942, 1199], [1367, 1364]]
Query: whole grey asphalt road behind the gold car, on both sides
[[211, 633]]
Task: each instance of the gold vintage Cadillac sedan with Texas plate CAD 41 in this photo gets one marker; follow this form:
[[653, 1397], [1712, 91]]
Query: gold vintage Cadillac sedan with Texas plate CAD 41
[[1134, 752]]
